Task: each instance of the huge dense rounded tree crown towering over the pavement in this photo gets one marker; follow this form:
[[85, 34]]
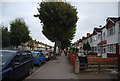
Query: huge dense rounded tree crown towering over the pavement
[[58, 20]]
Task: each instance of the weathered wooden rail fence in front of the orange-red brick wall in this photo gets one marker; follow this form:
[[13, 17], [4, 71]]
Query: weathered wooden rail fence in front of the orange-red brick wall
[[98, 67]]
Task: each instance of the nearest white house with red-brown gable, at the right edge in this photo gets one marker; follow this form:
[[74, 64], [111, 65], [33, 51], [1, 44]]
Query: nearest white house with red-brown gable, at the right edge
[[113, 32]]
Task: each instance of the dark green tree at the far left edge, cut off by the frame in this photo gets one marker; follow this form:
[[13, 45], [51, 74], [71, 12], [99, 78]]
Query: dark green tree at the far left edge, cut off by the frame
[[5, 37]]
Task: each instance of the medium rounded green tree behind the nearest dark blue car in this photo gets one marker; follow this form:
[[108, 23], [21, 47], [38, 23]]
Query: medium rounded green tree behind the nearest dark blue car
[[19, 32]]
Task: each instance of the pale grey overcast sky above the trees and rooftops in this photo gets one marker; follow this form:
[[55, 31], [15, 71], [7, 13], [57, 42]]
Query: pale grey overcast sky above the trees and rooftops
[[91, 14]]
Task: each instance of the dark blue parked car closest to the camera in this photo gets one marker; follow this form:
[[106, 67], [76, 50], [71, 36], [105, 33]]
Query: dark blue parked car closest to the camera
[[15, 64]]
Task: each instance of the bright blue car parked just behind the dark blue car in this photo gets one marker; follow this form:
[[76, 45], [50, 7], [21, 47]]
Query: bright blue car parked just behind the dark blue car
[[38, 58]]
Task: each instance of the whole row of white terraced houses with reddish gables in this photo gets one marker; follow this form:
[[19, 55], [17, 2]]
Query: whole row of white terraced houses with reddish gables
[[104, 41]]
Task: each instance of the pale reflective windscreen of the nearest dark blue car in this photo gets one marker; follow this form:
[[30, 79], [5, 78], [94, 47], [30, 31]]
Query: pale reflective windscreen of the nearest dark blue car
[[6, 56]]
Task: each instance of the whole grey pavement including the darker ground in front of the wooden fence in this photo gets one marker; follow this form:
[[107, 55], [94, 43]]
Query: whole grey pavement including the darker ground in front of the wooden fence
[[62, 69]]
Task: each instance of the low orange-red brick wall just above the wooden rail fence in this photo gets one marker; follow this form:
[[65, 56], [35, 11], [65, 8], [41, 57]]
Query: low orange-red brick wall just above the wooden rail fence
[[98, 59]]
